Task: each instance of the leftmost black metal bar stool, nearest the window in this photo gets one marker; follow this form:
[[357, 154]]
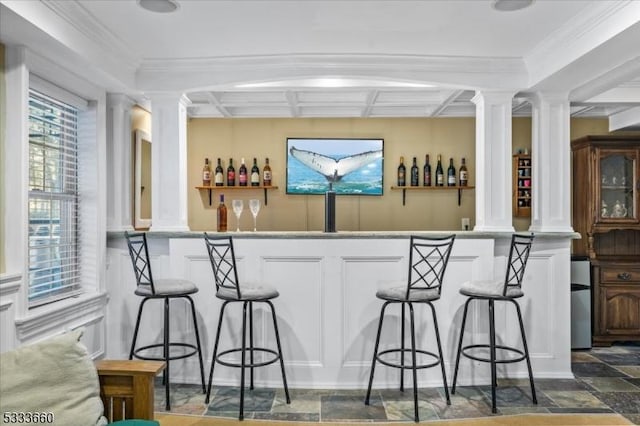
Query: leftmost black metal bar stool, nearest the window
[[165, 289]]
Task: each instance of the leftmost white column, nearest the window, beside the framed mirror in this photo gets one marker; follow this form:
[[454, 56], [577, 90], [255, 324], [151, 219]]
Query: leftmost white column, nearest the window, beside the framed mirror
[[119, 163]]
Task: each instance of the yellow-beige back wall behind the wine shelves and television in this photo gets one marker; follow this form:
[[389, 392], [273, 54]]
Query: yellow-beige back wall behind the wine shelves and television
[[408, 137]]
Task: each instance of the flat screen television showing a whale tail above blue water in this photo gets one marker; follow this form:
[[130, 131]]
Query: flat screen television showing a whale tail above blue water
[[350, 166]]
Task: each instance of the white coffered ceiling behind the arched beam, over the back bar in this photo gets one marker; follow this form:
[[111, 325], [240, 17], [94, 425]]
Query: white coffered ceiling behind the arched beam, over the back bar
[[364, 102]]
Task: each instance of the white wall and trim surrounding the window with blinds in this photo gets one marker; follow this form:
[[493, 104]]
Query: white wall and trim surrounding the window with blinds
[[19, 323]]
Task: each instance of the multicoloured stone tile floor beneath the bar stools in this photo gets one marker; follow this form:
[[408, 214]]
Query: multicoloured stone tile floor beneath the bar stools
[[607, 380]]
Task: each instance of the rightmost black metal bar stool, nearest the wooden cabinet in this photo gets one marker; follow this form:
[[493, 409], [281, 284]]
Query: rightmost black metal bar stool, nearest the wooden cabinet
[[508, 290]]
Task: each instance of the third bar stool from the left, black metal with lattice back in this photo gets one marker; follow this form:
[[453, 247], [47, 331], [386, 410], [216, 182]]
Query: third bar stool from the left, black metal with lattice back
[[428, 258]]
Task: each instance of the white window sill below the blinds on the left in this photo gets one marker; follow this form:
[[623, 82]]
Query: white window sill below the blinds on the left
[[61, 314]]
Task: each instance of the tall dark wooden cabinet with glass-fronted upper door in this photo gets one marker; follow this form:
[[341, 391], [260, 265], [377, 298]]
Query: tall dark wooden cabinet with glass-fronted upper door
[[606, 205]]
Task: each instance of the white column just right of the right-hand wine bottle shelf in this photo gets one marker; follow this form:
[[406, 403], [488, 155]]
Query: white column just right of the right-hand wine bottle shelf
[[493, 161]]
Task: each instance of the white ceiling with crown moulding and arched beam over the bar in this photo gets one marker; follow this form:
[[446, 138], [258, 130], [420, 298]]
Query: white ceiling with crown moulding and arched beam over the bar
[[389, 50]]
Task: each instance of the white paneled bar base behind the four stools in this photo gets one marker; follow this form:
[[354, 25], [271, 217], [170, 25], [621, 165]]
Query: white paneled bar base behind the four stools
[[327, 309]]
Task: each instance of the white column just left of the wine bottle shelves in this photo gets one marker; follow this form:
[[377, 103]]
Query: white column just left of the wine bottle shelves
[[169, 162]]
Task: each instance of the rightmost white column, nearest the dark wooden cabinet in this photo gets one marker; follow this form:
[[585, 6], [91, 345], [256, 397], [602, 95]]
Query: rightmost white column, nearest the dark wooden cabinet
[[551, 163]]
